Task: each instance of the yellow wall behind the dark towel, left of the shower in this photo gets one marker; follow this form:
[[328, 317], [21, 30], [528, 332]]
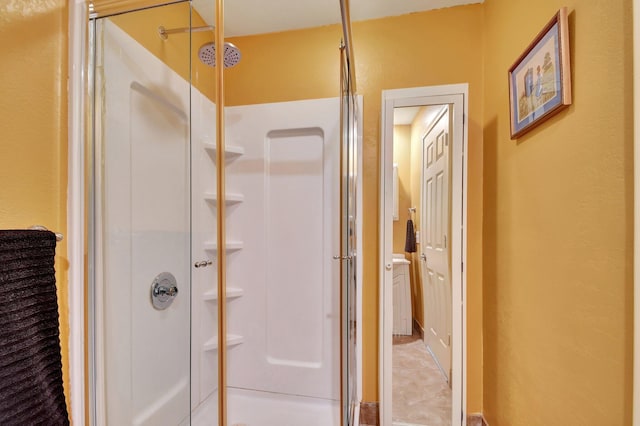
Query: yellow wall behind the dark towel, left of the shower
[[33, 119]]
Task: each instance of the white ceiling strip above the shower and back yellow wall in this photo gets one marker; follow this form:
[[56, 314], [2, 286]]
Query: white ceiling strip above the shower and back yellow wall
[[244, 17]]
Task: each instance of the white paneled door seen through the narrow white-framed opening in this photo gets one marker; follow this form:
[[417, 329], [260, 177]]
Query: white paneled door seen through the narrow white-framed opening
[[435, 247]]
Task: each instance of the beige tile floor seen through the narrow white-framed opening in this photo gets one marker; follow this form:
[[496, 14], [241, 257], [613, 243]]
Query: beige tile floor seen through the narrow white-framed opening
[[421, 395]]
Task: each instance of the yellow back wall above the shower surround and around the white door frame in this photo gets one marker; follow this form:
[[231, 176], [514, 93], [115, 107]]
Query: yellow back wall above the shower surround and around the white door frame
[[432, 48]]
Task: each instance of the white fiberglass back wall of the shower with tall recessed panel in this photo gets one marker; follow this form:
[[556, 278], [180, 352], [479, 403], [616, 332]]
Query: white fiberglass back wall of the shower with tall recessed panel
[[290, 225]]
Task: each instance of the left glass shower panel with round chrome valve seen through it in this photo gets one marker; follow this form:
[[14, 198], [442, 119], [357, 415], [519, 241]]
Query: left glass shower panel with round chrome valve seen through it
[[141, 224]]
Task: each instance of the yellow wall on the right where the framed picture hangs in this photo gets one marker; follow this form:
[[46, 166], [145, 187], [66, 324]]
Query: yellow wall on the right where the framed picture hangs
[[558, 229]]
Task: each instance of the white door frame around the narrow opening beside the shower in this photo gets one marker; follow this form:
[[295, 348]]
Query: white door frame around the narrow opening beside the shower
[[458, 95]]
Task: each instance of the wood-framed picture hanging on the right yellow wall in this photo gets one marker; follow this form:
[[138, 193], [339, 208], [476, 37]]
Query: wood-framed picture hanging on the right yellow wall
[[540, 79]]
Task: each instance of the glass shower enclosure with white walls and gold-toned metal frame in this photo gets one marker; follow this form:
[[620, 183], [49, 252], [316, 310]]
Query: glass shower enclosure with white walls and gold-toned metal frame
[[222, 271]]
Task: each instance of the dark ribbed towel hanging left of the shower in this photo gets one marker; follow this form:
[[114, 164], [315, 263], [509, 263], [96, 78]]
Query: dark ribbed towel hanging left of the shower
[[31, 391]]
